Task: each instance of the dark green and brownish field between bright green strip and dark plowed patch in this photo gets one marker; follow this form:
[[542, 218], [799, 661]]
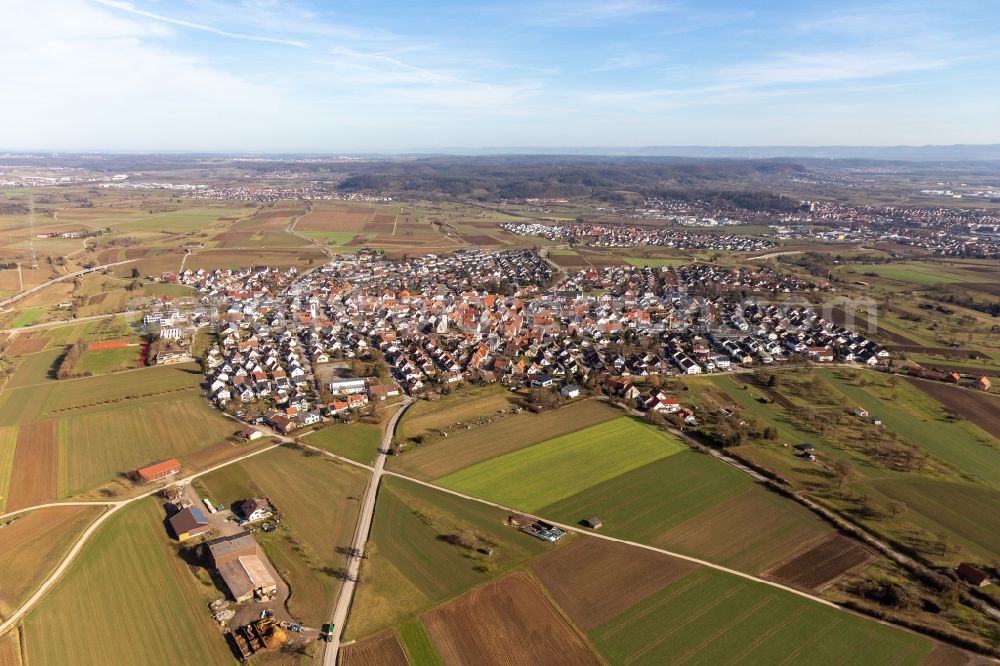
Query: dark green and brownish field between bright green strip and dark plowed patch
[[693, 504]]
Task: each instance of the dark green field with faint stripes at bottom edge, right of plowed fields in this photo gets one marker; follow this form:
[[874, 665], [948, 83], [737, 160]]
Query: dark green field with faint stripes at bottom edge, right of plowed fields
[[709, 617]]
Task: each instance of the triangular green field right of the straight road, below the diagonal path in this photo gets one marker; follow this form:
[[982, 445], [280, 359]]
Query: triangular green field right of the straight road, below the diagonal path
[[415, 567]]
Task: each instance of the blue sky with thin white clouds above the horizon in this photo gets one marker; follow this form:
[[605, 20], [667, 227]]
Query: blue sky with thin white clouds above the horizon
[[351, 76]]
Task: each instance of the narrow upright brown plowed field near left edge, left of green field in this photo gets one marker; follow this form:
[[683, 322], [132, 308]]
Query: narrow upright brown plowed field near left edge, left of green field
[[35, 478]]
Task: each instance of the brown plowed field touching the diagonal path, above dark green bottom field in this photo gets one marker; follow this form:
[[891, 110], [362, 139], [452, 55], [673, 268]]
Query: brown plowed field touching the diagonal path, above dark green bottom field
[[594, 580]]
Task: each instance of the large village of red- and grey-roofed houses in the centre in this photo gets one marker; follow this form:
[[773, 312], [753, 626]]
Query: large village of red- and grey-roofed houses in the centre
[[442, 320]]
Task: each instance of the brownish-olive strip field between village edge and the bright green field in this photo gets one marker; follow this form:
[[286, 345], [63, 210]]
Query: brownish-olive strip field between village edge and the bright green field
[[464, 448]]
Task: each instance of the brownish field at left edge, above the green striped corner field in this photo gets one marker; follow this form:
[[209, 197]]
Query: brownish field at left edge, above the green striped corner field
[[33, 545]]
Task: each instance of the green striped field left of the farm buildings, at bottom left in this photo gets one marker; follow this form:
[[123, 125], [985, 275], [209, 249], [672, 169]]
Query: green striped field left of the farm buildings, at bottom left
[[127, 599]]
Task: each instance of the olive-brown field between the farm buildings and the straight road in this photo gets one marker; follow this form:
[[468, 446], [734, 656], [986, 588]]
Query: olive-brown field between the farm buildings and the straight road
[[315, 496]]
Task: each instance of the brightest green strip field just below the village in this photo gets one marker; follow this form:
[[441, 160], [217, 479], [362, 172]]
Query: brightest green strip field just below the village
[[545, 473]]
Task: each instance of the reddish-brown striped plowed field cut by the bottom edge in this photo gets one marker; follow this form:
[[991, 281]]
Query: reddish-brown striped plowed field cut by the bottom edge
[[505, 622]]
